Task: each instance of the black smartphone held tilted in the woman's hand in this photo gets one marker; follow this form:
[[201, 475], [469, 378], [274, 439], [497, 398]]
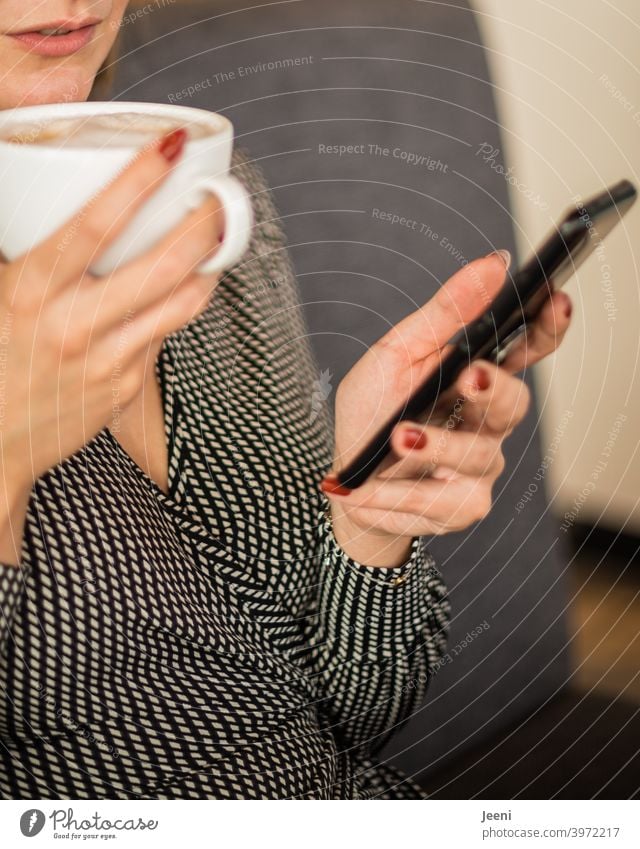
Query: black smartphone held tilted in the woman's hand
[[517, 304]]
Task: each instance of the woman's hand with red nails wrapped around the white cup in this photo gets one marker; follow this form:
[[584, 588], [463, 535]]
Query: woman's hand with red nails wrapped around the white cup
[[70, 342]]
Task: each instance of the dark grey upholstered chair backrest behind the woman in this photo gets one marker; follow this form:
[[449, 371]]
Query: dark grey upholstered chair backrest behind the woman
[[406, 84]]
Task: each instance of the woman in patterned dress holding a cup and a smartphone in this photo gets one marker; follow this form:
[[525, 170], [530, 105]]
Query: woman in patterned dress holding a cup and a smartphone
[[185, 613]]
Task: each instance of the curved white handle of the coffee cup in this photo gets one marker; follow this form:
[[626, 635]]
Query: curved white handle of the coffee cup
[[238, 221]]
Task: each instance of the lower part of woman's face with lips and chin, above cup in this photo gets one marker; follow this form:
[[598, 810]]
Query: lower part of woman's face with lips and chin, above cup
[[36, 68]]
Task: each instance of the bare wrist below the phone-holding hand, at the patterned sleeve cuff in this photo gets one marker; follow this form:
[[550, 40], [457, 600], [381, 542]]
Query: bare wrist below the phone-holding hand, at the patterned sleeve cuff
[[369, 547]]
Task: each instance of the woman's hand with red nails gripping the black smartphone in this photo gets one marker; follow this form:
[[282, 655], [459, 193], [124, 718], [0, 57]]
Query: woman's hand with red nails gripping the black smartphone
[[435, 480]]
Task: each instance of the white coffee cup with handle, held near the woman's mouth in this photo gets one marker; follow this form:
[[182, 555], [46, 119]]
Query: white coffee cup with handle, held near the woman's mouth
[[43, 186]]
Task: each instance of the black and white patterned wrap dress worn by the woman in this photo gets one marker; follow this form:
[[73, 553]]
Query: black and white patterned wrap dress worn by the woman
[[215, 641]]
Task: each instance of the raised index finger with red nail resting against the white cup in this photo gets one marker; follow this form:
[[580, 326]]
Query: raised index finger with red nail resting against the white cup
[[66, 255]]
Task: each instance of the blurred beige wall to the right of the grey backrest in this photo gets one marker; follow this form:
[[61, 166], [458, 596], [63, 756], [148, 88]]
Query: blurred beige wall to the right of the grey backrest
[[567, 74]]
